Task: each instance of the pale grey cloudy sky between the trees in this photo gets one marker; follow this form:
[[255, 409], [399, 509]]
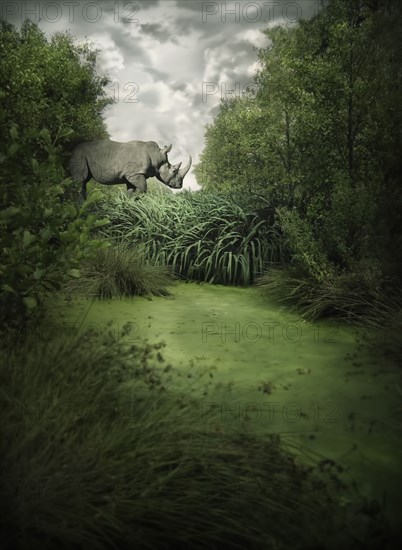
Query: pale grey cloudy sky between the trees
[[170, 61]]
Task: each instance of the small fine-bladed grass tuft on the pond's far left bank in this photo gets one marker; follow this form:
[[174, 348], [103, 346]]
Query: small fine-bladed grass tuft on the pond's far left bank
[[120, 270]]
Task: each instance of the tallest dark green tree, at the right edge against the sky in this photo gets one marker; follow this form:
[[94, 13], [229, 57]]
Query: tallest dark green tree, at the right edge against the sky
[[335, 78]]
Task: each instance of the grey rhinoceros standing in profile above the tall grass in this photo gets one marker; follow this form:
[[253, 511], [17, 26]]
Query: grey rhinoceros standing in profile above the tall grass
[[110, 163]]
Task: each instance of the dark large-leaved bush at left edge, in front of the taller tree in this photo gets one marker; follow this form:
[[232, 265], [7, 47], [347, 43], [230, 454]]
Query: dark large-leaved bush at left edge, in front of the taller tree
[[43, 237]]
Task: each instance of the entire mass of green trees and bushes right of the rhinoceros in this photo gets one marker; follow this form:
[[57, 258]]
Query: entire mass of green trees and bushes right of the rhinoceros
[[321, 143]]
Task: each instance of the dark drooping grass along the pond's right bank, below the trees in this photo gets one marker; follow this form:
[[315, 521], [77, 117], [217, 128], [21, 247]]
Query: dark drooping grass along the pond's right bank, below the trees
[[352, 297]]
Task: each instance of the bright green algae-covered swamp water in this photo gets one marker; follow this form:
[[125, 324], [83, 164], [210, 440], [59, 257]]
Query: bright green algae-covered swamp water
[[328, 396]]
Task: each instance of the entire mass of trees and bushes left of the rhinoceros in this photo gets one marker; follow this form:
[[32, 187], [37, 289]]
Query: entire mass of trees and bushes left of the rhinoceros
[[44, 232]]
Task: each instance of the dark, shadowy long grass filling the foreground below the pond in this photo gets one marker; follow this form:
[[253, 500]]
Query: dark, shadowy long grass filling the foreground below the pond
[[95, 452]]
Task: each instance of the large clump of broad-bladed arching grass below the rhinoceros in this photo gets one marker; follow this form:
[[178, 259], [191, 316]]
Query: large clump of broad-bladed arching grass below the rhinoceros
[[201, 236]]
